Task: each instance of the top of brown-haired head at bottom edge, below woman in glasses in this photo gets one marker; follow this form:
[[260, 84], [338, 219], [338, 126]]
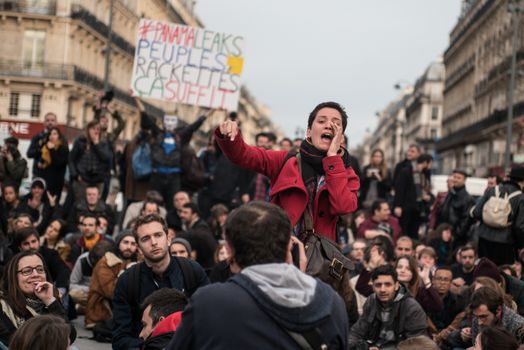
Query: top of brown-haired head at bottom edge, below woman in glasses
[[46, 332]]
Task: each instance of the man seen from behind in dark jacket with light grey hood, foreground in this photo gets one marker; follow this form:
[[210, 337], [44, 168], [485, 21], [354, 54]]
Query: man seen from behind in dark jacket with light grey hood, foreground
[[269, 303]]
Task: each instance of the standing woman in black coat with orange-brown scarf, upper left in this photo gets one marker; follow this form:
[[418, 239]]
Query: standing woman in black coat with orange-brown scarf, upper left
[[52, 161]]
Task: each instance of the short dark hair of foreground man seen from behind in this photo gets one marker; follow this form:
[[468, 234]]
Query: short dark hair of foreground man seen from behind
[[258, 233]]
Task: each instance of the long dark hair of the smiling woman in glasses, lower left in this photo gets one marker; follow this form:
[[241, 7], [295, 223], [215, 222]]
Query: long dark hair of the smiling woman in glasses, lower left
[[12, 293]]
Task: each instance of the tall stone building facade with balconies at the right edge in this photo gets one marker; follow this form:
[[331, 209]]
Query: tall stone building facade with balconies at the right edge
[[477, 63]]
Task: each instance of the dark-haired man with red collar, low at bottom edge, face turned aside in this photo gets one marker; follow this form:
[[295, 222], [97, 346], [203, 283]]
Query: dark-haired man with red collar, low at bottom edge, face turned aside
[[162, 315]]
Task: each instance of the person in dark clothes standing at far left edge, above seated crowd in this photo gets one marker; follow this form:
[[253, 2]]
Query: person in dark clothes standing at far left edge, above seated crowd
[[13, 167]]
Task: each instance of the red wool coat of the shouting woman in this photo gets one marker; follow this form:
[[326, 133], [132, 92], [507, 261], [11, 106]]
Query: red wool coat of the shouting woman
[[336, 196]]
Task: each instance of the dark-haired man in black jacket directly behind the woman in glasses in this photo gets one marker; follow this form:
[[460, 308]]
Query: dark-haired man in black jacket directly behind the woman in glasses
[[27, 239]]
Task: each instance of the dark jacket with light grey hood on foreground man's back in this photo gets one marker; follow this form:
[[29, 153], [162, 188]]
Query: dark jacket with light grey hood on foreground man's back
[[276, 297]]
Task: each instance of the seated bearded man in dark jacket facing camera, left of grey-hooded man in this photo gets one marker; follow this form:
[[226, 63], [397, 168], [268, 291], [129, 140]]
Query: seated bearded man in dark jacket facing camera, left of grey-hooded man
[[159, 270]]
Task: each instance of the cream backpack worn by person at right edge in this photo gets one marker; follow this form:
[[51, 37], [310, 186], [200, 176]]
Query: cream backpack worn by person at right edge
[[497, 209]]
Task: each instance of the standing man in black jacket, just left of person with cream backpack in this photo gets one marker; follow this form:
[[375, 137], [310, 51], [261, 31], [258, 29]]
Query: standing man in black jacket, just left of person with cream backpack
[[456, 207]]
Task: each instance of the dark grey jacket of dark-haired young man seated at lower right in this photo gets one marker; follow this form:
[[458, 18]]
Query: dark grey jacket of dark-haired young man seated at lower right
[[405, 319]]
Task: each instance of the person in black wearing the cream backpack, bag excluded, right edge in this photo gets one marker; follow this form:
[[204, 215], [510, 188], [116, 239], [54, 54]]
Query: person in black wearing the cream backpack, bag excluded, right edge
[[500, 244]]
